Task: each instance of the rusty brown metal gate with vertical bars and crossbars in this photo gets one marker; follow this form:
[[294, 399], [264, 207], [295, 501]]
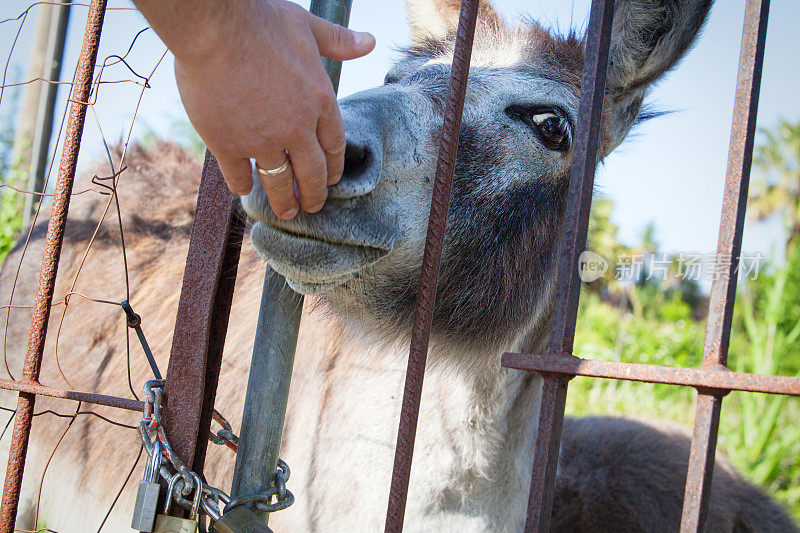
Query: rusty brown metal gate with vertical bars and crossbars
[[210, 274]]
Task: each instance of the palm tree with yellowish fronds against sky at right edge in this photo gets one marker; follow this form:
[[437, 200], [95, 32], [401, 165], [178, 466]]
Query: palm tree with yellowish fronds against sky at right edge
[[777, 191]]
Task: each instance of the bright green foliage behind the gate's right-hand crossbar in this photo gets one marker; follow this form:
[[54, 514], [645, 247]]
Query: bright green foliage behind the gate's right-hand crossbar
[[758, 433]]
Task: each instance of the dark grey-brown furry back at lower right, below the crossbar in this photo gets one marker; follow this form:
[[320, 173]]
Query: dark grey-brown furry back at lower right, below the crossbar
[[638, 476]]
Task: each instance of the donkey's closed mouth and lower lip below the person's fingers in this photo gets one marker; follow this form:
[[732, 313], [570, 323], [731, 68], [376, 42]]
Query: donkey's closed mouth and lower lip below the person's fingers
[[314, 262]]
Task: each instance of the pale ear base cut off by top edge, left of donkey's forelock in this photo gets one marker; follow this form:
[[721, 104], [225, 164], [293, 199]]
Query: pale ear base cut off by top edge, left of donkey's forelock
[[438, 19]]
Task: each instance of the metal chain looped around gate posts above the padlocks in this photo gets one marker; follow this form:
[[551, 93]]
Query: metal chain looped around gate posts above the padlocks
[[183, 482]]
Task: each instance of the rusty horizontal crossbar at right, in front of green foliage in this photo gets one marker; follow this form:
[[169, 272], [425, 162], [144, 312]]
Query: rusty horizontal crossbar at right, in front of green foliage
[[717, 378]]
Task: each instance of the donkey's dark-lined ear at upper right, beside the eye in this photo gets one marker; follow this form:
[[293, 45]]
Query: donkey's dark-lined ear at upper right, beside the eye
[[648, 38]]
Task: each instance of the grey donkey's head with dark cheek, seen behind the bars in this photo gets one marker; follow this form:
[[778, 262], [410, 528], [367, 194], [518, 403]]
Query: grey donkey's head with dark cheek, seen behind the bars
[[363, 251]]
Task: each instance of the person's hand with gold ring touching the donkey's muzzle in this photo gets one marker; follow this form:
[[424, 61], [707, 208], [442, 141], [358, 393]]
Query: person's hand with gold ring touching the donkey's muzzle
[[251, 80]]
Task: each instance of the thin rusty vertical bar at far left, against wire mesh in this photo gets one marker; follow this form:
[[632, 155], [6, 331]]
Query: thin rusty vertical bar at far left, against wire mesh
[[47, 274]]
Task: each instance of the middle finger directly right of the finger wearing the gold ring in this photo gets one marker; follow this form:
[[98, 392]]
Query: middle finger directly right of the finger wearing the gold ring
[[310, 170]]
